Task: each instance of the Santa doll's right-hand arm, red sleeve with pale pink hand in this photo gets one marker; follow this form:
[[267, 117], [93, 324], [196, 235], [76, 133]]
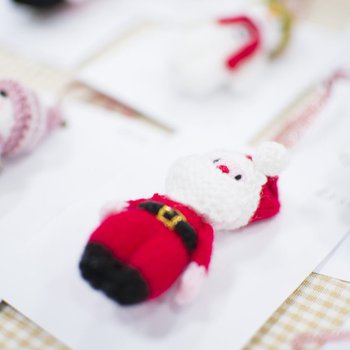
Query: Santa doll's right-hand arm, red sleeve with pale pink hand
[[192, 279]]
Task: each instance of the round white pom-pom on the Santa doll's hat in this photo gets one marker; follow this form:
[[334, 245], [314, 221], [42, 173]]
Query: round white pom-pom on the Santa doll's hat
[[270, 158]]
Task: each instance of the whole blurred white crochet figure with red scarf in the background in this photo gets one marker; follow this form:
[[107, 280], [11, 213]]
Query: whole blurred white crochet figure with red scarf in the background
[[230, 52]]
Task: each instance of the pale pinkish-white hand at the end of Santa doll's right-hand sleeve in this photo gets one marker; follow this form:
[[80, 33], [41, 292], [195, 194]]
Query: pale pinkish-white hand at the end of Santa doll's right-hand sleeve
[[190, 284]]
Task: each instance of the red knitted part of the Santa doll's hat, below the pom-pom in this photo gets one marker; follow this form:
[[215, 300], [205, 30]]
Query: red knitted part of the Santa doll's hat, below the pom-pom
[[269, 204]]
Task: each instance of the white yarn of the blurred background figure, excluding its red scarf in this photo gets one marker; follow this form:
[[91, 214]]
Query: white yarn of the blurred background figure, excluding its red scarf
[[199, 61]]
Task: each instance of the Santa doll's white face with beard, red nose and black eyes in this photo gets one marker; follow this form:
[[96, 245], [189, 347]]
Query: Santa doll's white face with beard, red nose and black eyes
[[224, 187]]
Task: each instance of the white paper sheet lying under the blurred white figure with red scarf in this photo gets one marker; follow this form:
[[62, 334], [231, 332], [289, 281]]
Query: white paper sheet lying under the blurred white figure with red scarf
[[138, 73]]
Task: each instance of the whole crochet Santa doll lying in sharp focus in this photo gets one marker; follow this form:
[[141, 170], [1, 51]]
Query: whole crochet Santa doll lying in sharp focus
[[143, 246]]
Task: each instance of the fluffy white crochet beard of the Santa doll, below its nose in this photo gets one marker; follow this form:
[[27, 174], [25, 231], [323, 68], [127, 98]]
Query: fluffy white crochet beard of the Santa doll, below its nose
[[224, 202]]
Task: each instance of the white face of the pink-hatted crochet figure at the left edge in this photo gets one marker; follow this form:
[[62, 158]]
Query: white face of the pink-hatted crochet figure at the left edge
[[7, 112]]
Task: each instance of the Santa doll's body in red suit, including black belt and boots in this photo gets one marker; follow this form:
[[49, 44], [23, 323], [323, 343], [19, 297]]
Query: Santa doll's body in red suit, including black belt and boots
[[139, 253]]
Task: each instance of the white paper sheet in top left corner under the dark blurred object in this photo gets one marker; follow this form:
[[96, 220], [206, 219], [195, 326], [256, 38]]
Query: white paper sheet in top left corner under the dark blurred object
[[67, 36]]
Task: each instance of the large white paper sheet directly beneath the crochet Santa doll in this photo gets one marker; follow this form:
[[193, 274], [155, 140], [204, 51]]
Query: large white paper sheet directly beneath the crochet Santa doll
[[253, 270]]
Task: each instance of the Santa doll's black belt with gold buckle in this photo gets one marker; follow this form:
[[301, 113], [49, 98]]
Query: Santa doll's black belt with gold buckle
[[174, 220]]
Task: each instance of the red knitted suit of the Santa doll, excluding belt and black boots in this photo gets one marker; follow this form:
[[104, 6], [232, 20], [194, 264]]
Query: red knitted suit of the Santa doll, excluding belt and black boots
[[136, 238]]
